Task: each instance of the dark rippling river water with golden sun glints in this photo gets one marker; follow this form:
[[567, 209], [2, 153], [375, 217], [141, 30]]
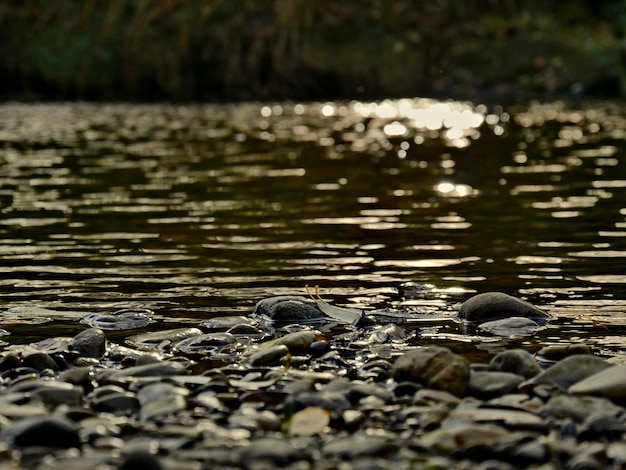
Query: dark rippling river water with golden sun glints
[[201, 210]]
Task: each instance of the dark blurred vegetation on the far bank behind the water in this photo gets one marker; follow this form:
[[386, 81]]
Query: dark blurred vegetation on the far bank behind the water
[[311, 49]]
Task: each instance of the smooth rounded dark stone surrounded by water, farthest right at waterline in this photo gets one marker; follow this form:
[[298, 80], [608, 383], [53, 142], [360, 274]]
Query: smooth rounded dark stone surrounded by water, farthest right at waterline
[[496, 305]]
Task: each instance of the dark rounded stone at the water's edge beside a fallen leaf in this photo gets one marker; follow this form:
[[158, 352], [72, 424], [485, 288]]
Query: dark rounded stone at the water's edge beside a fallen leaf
[[287, 308]]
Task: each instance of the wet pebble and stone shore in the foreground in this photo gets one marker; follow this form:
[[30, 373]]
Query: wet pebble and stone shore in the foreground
[[275, 390]]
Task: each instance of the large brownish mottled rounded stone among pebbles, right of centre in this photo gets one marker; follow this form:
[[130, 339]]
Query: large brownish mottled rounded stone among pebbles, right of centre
[[436, 367]]
